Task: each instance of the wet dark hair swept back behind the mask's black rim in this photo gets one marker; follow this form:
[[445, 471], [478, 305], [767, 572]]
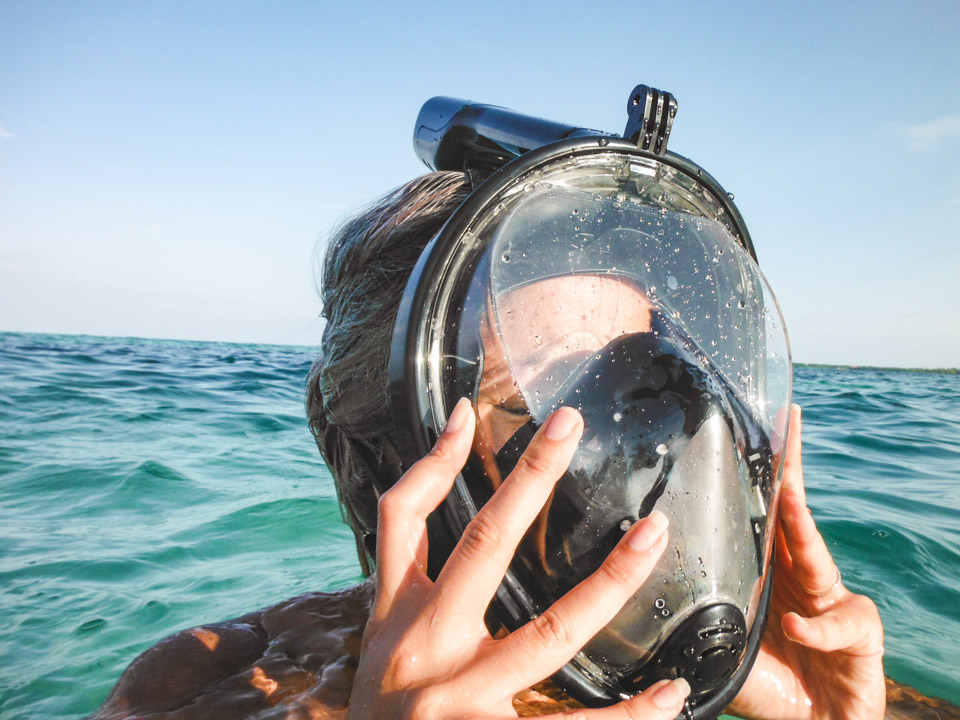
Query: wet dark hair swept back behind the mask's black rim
[[365, 269]]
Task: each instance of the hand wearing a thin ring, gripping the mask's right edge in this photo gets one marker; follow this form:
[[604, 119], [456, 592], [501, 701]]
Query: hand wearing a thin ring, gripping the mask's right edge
[[821, 654]]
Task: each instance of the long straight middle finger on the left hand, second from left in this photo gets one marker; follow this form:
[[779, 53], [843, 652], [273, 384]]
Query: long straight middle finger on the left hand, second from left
[[477, 565]]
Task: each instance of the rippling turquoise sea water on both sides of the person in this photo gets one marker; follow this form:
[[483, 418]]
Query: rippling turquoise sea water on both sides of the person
[[147, 486]]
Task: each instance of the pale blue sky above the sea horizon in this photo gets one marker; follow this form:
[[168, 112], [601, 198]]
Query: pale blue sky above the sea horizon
[[167, 169]]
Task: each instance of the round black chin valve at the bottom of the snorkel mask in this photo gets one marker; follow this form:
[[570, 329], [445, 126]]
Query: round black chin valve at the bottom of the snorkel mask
[[705, 650]]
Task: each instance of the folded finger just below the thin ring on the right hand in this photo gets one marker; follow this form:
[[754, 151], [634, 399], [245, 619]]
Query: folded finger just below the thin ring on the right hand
[[852, 627]]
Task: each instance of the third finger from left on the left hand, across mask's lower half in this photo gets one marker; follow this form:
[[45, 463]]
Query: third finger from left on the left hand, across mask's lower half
[[543, 645]]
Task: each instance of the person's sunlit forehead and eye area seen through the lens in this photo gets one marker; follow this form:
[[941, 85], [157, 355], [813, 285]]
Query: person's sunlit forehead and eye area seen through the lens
[[539, 333]]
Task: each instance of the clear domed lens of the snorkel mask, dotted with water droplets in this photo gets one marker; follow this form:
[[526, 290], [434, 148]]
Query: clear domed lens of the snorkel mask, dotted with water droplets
[[615, 285]]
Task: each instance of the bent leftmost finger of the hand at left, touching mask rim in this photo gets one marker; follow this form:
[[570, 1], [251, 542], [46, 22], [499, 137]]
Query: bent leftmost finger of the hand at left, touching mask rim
[[403, 509]]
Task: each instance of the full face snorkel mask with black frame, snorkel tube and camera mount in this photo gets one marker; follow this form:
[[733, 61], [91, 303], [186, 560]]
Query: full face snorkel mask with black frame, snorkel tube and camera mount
[[613, 276]]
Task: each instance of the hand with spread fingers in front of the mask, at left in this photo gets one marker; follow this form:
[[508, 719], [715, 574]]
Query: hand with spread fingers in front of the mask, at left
[[426, 651]]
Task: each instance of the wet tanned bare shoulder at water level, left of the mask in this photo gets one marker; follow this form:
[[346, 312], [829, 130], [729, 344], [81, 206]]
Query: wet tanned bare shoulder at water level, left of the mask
[[300, 654]]
